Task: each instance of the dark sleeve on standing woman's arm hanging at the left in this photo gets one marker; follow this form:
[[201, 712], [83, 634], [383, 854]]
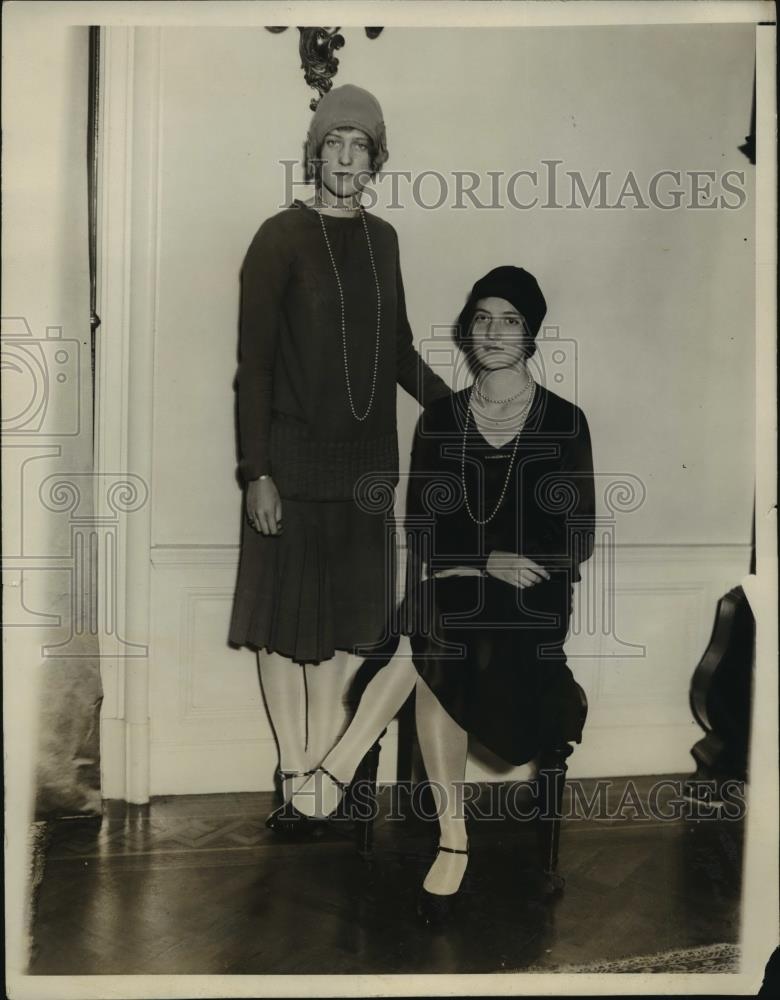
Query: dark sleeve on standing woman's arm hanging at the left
[[263, 281]]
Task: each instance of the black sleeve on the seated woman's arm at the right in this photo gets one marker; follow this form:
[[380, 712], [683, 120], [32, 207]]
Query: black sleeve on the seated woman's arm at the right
[[566, 536]]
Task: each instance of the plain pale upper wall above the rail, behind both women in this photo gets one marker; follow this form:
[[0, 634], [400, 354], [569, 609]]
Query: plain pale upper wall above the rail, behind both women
[[660, 303]]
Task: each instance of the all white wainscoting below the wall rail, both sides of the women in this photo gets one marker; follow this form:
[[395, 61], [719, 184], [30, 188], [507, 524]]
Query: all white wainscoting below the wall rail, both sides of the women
[[638, 631]]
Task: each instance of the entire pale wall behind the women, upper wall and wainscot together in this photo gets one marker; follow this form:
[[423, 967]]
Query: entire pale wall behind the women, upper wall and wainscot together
[[657, 304]]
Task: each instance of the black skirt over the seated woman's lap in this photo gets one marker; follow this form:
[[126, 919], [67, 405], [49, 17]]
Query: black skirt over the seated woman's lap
[[493, 656]]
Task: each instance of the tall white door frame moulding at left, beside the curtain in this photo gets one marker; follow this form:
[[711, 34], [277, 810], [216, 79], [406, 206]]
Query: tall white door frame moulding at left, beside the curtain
[[124, 372]]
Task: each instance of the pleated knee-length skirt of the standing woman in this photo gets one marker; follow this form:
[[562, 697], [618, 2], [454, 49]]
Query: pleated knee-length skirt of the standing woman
[[327, 583]]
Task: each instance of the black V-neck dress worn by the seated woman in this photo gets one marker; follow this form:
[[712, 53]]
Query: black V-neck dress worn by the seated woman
[[491, 653]]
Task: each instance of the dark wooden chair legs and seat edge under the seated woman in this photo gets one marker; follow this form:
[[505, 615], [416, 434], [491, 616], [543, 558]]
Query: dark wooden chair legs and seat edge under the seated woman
[[549, 784]]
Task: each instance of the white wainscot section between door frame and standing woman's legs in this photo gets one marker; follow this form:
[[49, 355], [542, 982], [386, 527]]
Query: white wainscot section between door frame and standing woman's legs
[[209, 728]]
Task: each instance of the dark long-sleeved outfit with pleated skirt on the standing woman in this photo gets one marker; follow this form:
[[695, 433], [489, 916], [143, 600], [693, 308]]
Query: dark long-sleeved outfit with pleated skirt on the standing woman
[[328, 581]]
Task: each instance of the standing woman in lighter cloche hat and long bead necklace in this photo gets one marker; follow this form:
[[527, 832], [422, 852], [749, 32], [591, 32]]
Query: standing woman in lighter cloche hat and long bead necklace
[[324, 338]]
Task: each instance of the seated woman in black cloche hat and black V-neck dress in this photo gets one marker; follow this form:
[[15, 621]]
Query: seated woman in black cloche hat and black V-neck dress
[[500, 514]]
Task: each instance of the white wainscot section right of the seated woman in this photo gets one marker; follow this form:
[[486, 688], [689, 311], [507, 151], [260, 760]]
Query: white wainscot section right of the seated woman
[[655, 610]]
